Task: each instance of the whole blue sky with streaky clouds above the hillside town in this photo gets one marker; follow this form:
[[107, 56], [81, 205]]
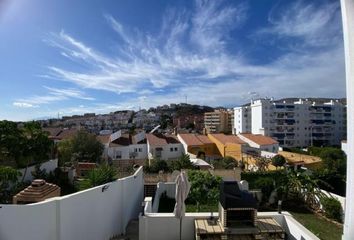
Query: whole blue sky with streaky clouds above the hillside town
[[71, 57]]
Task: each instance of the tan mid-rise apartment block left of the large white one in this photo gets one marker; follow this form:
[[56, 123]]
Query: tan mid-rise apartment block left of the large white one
[[219, 121]]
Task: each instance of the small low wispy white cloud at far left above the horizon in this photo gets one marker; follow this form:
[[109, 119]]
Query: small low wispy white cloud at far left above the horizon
[[53, 95]]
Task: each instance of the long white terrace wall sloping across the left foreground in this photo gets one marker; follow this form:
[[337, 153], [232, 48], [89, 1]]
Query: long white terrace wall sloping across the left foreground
[[96, 213]]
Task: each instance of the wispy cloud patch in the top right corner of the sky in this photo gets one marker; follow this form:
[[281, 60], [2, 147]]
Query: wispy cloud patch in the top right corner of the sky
[[316, 26]]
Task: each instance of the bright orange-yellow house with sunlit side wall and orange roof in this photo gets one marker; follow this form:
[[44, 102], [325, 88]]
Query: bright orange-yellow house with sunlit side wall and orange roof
[[228, 145]]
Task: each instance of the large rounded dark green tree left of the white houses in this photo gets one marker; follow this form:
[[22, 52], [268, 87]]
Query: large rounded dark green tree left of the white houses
[[83, 147]]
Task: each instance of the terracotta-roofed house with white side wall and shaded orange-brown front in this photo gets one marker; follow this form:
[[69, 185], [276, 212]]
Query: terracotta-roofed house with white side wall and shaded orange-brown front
[[199, 146]]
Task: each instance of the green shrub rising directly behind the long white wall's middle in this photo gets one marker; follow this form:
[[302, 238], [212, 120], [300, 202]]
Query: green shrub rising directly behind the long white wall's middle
[[98, 176]]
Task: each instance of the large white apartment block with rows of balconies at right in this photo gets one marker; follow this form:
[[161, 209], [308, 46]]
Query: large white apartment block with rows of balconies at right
[[294, 122]]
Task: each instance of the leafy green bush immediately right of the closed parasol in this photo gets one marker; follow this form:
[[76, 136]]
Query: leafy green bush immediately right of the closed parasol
[[204, 188]]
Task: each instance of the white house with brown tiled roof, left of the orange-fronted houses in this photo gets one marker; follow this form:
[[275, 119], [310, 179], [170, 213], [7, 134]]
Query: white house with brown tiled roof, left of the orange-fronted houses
[[164, 147]]
